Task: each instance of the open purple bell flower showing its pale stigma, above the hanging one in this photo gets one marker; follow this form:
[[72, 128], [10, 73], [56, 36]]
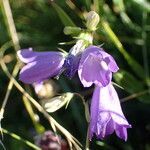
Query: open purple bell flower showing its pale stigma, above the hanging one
[[96, 66]]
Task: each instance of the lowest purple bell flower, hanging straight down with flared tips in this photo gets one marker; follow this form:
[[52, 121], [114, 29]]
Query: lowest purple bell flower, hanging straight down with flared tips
[[106, 115]]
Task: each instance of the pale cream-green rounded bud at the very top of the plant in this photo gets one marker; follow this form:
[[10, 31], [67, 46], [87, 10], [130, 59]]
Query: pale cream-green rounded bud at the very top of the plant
[[92, 20]]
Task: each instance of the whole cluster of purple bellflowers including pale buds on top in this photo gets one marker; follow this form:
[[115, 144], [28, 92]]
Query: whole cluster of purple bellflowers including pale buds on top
[[94, 67]]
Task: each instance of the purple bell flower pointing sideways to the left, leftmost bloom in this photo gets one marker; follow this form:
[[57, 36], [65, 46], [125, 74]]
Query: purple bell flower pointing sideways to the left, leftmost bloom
[[39, 65]]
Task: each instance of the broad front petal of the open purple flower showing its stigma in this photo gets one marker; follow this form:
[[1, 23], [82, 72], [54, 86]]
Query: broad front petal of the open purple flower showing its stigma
[[92, 70]]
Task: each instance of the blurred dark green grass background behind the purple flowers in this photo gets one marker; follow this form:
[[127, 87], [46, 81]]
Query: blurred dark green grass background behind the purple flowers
[[40, 24]]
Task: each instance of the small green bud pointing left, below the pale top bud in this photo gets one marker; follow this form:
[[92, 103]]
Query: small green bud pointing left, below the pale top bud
[[72, 30]]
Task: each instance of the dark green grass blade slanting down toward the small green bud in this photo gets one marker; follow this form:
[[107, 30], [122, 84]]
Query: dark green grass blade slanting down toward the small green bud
[[66, 20]]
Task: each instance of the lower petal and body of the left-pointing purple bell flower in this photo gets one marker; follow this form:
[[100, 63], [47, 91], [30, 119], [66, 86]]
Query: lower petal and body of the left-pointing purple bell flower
[[42, 67]]
